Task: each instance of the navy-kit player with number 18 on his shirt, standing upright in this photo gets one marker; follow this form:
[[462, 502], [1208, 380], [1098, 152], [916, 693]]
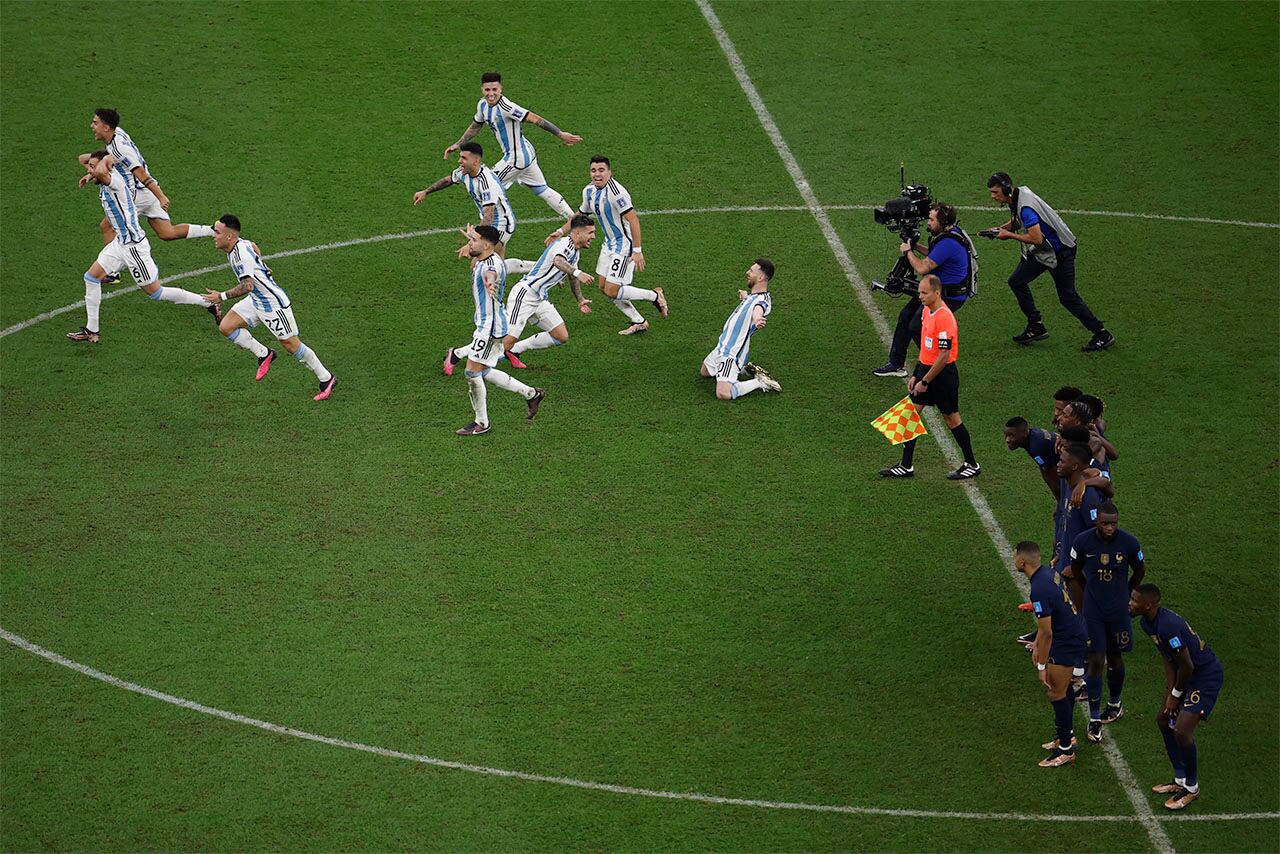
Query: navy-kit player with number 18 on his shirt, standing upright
[[1109, 561]]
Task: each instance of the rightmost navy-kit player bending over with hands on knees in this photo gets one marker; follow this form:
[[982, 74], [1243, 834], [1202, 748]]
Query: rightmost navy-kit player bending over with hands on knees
[[1194, 681]]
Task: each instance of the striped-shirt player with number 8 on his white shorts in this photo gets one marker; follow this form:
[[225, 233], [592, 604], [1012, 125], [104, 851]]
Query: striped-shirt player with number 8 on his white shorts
[[620, 254]]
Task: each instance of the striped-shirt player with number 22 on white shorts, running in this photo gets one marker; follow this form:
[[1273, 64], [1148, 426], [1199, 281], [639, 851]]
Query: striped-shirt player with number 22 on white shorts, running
[[266, 303]]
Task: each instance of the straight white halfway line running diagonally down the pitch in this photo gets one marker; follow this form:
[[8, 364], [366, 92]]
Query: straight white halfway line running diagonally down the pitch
[[1137, 797]]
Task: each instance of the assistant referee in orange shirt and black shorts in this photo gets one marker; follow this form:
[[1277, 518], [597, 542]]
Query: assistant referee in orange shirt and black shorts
[[936, 381]]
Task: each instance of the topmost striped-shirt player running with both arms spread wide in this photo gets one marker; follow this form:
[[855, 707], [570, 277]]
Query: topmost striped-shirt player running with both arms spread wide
[[519, 159]]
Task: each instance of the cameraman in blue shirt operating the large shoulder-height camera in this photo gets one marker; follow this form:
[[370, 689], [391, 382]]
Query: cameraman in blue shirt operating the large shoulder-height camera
[[949, 257]]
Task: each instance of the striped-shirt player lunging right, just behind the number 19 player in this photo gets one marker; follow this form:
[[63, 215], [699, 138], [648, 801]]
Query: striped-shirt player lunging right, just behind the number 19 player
[[531, 299]]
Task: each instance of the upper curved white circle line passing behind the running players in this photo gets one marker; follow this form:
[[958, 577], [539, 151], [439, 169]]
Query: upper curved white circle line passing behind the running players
[[669, 212]]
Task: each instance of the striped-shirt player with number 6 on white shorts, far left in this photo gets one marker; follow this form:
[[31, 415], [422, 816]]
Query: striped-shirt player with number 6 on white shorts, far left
[[127, 248]]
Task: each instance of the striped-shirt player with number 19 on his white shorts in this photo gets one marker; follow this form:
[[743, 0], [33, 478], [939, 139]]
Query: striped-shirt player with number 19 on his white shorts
[[488, 282]]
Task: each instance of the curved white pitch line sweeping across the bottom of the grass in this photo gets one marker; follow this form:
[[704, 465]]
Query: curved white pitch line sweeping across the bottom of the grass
[[22, 643]]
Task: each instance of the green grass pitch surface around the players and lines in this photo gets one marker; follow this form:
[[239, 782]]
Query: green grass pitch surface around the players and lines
[[646, 587]]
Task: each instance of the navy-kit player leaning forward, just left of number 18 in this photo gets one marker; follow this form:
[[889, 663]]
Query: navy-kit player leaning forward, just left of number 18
[[1060, 647]]
